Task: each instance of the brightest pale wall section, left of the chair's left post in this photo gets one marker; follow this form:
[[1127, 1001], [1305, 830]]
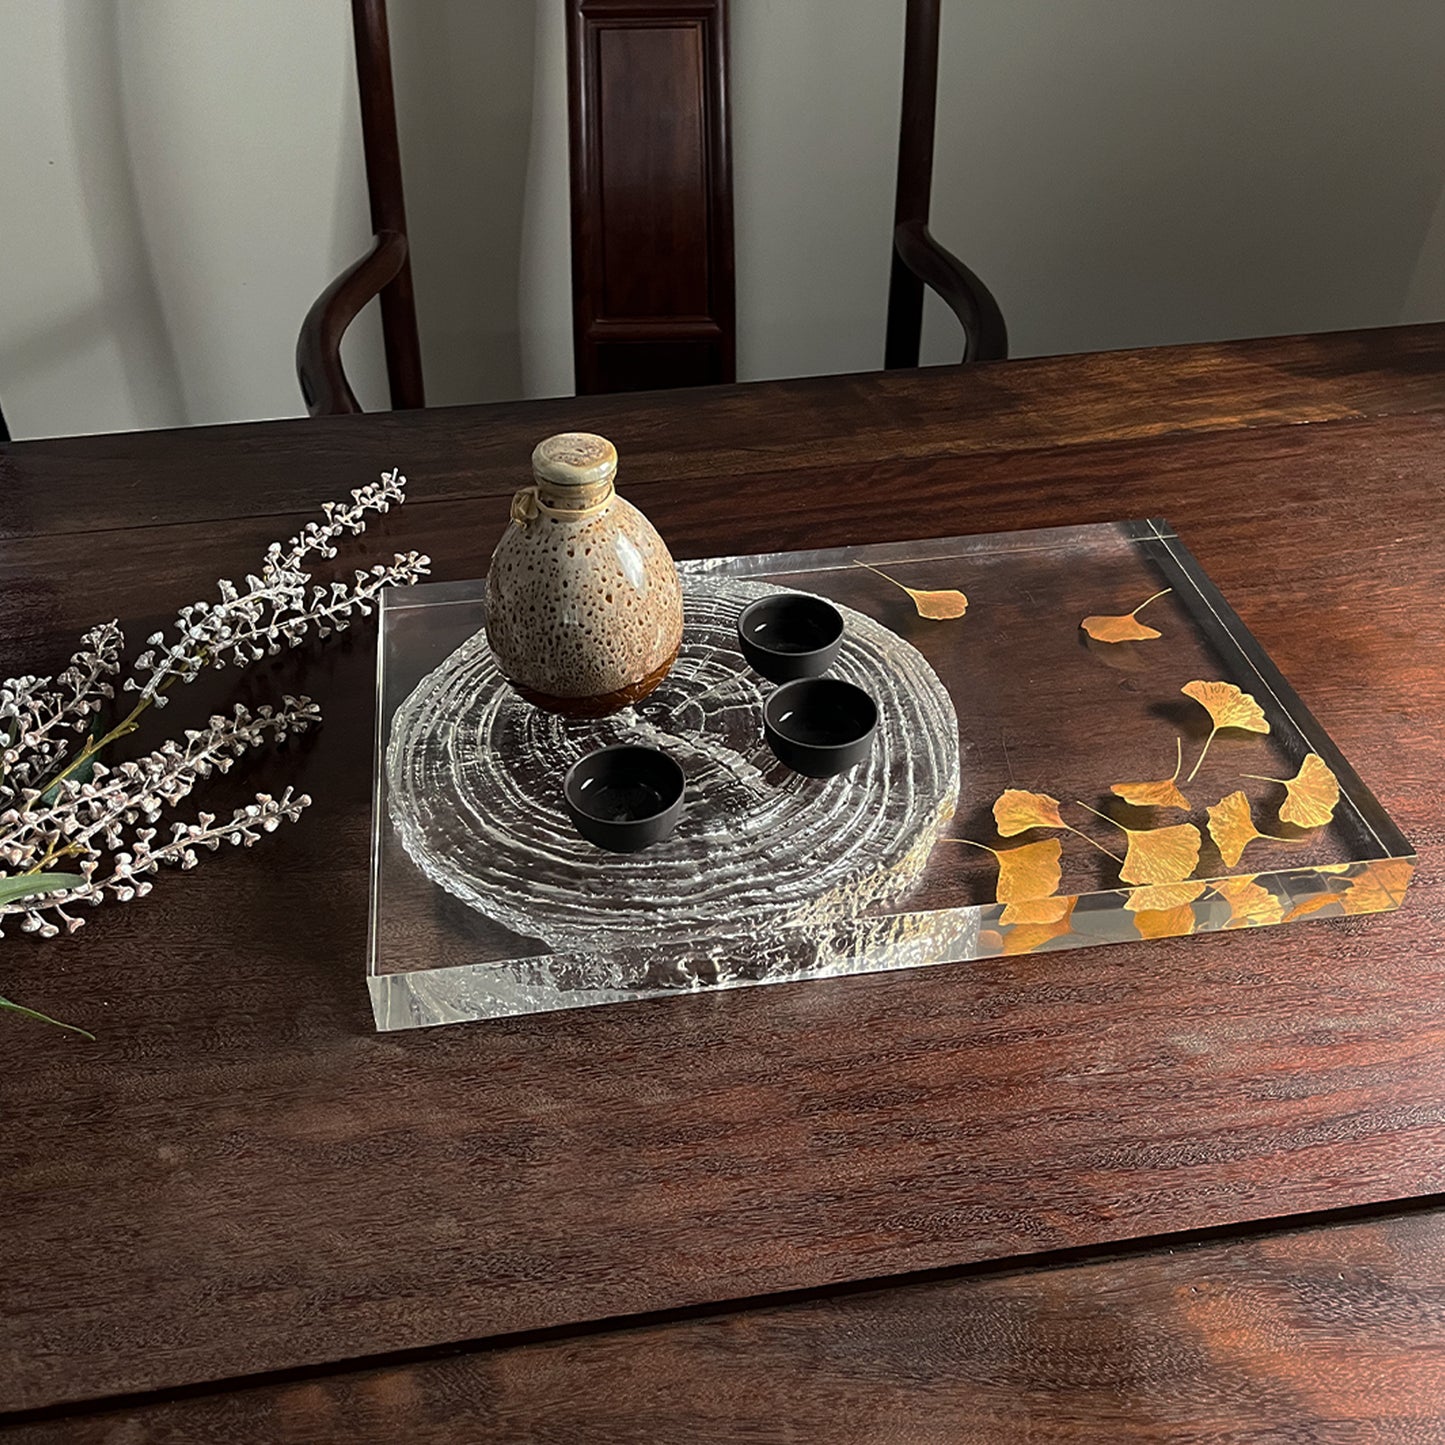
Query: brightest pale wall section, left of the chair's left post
[[181, 178]]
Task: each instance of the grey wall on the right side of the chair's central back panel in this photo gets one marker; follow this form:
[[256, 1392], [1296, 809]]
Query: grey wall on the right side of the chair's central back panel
[[1122, 173]]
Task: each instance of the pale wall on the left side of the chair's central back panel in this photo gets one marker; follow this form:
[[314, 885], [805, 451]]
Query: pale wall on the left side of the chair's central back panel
[[181, 178]]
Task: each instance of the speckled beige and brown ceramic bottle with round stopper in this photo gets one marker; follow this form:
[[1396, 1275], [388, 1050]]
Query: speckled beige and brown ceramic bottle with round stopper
[[585, 611]]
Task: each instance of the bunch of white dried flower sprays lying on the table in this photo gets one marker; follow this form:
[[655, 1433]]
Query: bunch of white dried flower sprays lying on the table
[[60, 807]]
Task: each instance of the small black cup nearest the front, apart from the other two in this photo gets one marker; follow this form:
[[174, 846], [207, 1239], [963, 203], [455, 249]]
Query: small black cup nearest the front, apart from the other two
[[625, 798]]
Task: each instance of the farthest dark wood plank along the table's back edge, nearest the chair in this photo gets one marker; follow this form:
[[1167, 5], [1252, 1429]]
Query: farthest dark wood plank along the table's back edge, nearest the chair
[[134, 479]]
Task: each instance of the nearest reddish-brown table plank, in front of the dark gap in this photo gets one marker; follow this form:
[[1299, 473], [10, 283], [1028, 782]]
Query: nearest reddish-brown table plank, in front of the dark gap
[[1324, 1336]]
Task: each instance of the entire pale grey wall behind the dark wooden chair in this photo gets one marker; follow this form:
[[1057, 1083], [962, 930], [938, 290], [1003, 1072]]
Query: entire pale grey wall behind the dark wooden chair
[[180, 178]]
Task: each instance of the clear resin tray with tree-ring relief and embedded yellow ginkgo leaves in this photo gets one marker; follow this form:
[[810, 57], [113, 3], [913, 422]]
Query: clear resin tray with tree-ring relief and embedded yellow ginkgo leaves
[[1079, 743]]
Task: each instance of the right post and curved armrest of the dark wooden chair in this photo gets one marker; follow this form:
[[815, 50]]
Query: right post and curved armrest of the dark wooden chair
[[918, 259]]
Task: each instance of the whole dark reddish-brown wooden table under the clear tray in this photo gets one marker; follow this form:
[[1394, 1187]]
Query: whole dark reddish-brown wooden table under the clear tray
[[1164, 1191]]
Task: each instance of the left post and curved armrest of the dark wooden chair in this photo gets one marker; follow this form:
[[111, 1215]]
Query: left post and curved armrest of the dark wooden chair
[[387, 271]]
